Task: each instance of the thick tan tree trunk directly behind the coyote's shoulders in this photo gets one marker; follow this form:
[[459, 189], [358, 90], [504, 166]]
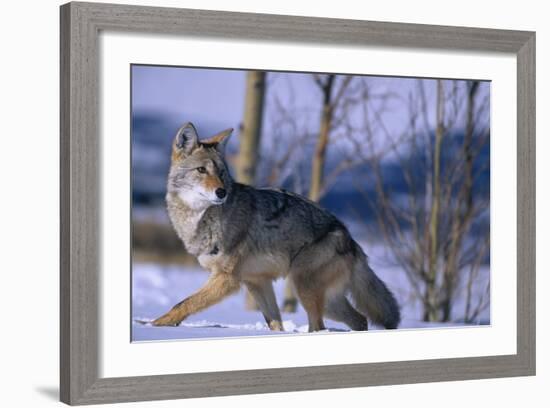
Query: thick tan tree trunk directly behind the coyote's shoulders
[[249, 142]]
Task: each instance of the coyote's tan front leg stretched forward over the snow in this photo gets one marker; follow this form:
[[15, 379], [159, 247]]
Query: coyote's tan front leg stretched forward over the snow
[[218, 286]]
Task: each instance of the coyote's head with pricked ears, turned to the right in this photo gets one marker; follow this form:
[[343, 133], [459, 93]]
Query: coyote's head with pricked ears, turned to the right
[[198, 173]]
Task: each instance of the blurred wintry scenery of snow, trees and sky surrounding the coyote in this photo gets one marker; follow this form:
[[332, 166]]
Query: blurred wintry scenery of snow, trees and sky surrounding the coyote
[[403, 162]]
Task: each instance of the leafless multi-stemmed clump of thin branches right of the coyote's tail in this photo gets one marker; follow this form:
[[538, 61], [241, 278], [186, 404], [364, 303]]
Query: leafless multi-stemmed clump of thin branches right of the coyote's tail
[[431, 233]]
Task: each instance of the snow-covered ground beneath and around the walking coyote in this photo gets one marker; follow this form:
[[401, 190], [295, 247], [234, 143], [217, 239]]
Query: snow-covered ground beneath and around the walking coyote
[[156, 288]]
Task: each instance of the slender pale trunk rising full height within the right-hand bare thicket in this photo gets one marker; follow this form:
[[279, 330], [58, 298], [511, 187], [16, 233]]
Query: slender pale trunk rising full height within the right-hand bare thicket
[[431, 300]]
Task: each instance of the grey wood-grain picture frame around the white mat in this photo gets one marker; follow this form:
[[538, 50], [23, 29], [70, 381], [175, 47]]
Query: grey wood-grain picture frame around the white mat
[[80, 192]]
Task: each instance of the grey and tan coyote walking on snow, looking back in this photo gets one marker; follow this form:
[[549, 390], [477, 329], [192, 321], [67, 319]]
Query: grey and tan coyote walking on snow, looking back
[[248, 236]]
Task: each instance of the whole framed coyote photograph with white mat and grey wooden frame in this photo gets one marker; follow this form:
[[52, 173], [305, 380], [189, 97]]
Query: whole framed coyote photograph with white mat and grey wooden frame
[[261, 203]]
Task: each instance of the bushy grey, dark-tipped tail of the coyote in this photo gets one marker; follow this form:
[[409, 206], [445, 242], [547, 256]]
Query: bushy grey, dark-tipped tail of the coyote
[[371, 296]]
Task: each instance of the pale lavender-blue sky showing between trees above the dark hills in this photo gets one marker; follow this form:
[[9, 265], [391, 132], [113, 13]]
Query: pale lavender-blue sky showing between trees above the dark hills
[[217, 95]]
